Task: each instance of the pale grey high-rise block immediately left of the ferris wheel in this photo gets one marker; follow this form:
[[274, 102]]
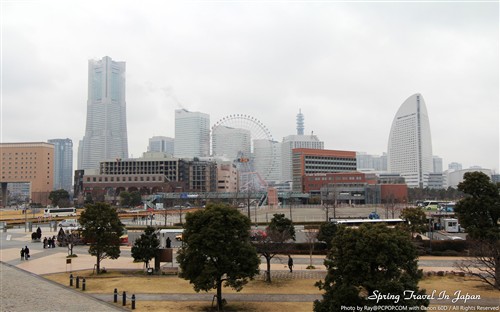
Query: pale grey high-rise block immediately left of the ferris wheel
[[192, 134]]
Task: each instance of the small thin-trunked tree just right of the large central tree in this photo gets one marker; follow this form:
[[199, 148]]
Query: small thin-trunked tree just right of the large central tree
[[279, 231]]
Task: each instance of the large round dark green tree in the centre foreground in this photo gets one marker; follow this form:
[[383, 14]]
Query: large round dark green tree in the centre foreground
[[216, 250]]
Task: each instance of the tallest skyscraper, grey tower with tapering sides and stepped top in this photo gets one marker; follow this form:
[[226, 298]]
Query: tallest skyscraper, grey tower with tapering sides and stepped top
[[106, 129]]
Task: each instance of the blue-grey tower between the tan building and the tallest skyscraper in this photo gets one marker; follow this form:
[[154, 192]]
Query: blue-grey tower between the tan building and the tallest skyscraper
[[63, 164]]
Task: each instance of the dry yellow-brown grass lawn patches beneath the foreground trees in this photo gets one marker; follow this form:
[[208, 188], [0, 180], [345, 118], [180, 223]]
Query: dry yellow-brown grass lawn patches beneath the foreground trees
[[137, 282]]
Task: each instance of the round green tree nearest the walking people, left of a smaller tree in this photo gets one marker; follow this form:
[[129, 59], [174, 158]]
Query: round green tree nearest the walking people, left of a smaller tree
[[102, 229]]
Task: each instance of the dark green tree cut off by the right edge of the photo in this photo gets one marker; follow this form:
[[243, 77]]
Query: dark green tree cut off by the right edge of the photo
[[479, 213]]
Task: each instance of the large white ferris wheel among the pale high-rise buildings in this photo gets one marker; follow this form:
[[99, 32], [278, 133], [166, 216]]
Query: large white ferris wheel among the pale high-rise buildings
[[249, 144]]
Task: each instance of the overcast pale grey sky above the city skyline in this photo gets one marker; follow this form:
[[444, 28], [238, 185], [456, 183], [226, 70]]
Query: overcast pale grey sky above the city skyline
[[348, 66]]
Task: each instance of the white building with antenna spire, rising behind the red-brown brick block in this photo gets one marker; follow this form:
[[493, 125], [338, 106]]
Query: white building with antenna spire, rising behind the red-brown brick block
[[296, 141]]
